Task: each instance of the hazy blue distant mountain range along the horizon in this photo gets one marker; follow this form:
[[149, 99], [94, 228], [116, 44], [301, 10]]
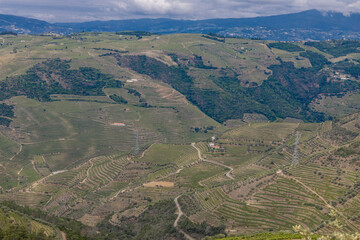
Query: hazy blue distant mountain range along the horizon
[[307, 25]]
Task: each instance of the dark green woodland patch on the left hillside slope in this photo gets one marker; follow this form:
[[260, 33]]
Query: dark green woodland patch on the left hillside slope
[[55, 77]]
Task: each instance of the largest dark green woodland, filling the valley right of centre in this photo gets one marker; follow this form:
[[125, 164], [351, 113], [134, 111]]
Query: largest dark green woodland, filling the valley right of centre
[[282, 95]]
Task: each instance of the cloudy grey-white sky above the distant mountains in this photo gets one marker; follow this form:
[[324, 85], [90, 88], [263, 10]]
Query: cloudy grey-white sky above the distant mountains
[[87, 10]]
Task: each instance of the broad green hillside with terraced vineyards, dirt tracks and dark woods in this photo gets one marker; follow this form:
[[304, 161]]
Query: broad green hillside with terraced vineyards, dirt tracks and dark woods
[[114, 130]]
